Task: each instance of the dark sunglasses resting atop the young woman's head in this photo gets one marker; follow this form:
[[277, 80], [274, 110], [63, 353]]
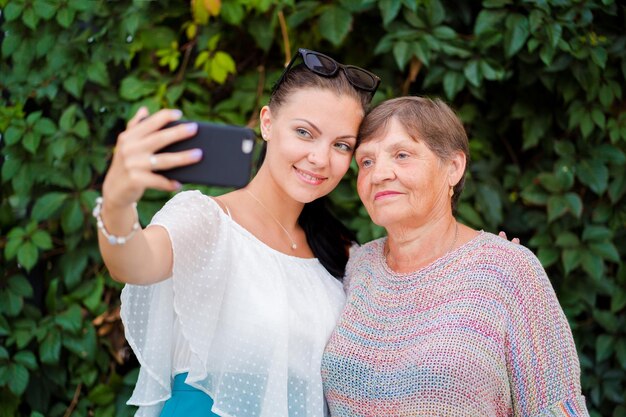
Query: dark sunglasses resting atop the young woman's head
[[325, 66]]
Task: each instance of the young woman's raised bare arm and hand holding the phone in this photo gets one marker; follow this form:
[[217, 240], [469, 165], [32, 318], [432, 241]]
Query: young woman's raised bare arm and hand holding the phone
[[146, 257]]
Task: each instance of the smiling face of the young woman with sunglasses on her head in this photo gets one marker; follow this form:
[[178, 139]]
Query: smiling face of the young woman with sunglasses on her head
[[310, 142]]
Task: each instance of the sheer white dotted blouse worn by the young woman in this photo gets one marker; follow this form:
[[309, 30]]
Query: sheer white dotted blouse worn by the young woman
[[247, 322]]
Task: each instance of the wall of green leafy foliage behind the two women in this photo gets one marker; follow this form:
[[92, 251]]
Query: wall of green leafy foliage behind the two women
[[538, 83]]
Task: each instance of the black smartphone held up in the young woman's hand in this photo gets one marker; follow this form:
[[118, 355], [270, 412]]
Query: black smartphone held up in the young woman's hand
[[226, 155]]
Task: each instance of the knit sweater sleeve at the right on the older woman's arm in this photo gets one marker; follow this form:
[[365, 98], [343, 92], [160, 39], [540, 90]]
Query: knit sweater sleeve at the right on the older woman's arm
[[542, 361]]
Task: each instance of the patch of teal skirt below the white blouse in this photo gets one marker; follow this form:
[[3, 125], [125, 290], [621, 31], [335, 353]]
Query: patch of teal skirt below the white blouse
[[187, 401]]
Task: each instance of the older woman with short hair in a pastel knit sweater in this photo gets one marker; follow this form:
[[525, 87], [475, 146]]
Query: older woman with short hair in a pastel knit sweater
[[441, 319]]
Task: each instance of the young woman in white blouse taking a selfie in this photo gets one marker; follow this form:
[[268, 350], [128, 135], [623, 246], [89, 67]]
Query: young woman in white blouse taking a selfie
[[230, 300]]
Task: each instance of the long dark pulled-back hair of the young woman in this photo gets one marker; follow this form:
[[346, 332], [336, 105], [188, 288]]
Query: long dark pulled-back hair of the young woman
[[327, 236]]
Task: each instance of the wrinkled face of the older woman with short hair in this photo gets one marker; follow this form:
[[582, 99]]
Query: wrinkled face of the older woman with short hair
[[401, 181]]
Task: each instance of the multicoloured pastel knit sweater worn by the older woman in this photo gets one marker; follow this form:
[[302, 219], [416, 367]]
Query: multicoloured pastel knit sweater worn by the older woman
[[479, 332]]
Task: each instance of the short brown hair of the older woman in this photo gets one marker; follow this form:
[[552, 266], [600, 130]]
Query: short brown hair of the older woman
[[429, 120]]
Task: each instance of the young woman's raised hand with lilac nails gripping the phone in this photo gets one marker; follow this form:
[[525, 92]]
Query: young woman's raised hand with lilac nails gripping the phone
[[134, 160]]
